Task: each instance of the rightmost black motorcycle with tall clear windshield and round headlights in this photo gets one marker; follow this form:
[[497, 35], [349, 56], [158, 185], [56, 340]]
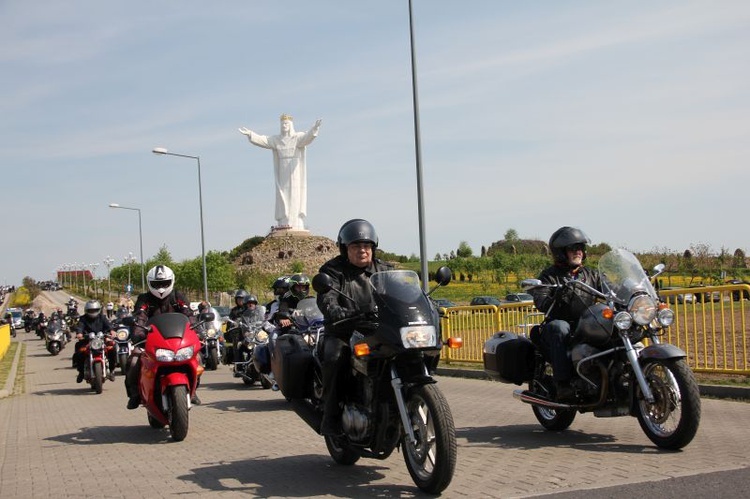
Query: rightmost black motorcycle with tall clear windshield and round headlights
[[616, 374]]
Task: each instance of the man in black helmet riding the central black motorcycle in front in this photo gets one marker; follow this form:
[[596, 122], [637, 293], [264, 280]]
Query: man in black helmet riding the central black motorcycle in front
[[350, 271]]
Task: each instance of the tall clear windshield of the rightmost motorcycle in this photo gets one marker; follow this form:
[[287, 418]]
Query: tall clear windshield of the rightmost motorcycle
[[623, 276]]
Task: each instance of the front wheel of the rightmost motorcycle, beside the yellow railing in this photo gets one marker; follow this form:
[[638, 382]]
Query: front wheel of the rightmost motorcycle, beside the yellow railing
[[672, 420]]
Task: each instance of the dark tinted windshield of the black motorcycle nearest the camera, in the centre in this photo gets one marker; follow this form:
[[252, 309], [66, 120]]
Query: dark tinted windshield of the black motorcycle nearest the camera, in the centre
[[400, 292]]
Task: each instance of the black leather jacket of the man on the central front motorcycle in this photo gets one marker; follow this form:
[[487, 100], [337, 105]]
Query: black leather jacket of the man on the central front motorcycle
[[351, 281]]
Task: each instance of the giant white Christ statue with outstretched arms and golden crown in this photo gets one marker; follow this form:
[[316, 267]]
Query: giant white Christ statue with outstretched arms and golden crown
[[290, 170]]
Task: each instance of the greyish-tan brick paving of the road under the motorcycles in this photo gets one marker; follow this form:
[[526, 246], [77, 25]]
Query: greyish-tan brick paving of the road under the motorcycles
[[60, 439]]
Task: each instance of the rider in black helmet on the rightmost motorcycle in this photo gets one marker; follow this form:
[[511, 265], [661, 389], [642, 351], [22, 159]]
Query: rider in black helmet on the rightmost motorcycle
[[565, 306]]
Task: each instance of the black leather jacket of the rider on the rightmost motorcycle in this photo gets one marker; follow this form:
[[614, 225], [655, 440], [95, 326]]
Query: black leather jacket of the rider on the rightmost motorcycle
[[570, 305]]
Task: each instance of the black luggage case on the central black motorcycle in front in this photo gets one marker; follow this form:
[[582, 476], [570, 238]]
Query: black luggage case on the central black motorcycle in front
[[292, 365]]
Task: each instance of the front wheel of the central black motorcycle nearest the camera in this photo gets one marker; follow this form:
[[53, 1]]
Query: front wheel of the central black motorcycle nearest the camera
[[431, 459]]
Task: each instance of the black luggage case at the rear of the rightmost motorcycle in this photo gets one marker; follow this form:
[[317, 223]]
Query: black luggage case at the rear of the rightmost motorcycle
[[509, 358]]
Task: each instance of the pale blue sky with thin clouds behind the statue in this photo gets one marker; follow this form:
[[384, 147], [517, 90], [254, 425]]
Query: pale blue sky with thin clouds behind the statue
[[629, 119]]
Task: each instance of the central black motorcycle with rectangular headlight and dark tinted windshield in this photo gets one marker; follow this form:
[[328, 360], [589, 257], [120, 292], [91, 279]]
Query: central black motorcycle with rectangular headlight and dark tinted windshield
[[389, 397]]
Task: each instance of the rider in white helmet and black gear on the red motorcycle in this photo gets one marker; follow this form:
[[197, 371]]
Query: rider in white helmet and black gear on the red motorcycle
[[161, 298]]
